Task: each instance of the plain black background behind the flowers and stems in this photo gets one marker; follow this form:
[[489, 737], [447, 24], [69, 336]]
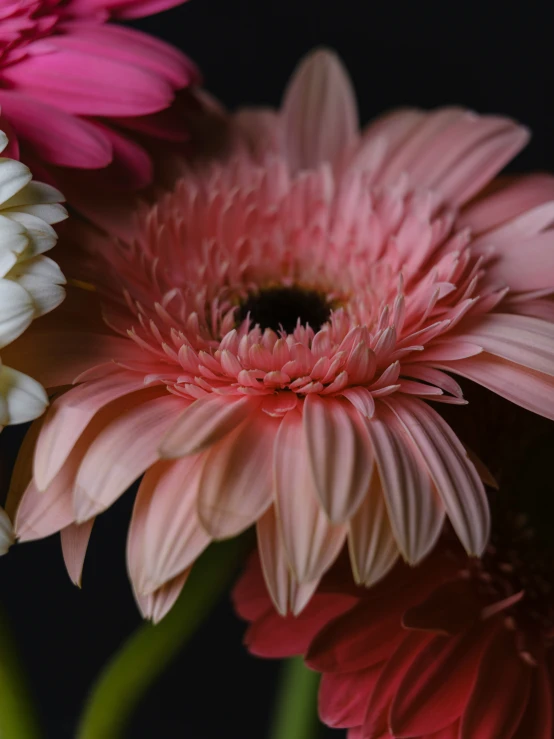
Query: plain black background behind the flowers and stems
[[491, 57]]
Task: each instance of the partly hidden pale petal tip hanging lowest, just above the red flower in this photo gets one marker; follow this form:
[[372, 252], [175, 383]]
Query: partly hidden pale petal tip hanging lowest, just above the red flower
[[285, 592]]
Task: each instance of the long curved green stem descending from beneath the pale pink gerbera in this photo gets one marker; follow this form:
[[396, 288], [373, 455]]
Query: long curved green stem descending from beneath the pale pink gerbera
[[146, 654]]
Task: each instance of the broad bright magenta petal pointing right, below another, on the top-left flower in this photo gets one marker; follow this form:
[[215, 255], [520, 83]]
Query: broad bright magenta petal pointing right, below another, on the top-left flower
[[89, 84]]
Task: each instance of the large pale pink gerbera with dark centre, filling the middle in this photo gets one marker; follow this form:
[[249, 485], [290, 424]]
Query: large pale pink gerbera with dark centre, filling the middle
[[271, 333]]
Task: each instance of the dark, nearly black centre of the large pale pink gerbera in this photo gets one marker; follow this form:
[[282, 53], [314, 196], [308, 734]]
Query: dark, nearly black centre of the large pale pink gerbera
[[284, 307]]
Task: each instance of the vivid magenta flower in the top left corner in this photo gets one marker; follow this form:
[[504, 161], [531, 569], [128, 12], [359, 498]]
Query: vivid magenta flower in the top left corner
[[73, 87]]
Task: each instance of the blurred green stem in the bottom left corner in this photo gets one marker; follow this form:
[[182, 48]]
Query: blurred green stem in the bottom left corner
[[17, 717]]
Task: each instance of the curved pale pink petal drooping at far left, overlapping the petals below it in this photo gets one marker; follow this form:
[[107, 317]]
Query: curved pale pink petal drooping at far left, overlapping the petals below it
[[70, 414]]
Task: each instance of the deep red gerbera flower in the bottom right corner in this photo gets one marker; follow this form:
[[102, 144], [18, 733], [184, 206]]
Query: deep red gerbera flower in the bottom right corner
[[455, 648]]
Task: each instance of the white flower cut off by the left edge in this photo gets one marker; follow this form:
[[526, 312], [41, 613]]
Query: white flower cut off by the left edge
[[31, 285]]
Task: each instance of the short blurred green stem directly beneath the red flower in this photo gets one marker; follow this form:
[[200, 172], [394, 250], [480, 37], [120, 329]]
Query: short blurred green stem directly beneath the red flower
[[295, 714]]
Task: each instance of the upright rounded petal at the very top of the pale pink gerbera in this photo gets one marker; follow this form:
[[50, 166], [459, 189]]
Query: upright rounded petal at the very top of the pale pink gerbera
[[320, 90]]
